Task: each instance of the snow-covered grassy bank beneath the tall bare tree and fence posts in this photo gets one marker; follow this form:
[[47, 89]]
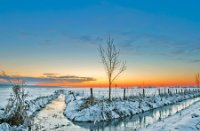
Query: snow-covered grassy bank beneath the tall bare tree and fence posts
[[103, 110]]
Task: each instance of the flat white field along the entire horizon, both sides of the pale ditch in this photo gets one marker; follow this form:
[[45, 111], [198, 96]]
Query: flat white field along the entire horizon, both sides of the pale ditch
[[37, 91]]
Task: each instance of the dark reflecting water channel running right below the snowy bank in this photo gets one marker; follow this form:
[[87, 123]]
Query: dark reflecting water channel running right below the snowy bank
[[138, 121]]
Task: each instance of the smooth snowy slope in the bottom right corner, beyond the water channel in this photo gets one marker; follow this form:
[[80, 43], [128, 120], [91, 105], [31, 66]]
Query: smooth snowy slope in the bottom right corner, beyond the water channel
[[186, 120]]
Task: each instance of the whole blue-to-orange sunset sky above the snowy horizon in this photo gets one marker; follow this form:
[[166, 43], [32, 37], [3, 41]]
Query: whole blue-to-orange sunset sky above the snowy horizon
[[55, 43]]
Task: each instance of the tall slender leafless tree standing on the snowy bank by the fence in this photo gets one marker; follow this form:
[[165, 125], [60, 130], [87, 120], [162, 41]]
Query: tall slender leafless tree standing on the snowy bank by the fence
[[110, 59]]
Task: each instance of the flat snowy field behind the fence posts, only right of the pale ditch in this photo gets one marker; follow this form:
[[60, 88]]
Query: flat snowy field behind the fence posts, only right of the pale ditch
[[133, 91]]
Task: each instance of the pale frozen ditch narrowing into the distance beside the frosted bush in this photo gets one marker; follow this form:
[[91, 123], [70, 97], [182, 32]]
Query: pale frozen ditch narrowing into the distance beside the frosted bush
[[51, 117]]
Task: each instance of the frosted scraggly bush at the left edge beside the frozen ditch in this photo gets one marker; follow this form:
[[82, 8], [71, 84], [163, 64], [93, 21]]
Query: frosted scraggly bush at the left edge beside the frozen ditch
[[16, 103]]
